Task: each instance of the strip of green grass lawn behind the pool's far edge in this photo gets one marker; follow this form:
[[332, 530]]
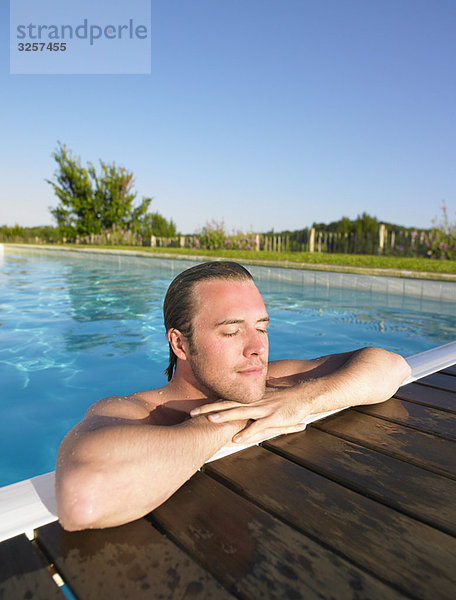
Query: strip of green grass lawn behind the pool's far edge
[[398, 266]]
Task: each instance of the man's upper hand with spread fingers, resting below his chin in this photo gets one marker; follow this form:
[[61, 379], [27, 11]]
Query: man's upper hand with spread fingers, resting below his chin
[[278, 412]]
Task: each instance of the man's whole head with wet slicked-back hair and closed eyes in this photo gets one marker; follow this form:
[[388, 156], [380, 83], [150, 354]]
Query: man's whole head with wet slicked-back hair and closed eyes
[[216, 322]]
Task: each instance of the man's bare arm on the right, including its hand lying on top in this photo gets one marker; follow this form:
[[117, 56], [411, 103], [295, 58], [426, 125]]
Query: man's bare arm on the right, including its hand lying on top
[[365, 376]]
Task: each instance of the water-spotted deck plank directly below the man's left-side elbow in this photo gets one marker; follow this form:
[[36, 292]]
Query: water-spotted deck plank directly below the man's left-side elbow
[[130, 561]]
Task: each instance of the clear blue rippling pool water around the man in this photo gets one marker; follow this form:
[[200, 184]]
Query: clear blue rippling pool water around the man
[[76, 327]]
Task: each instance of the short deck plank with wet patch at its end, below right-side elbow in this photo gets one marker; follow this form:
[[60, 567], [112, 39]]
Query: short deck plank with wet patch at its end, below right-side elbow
[[424, 418]]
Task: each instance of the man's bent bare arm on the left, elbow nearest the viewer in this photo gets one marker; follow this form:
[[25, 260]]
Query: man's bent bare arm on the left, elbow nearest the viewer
[[112, 470]]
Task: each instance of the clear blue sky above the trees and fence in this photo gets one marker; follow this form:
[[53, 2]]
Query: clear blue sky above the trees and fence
[[263, 113]]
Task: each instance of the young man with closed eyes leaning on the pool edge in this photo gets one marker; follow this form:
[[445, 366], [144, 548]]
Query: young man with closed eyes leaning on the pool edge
[[129, 454]]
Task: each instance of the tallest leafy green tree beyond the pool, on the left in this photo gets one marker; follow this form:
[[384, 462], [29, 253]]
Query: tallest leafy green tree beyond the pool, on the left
[[91, 203]]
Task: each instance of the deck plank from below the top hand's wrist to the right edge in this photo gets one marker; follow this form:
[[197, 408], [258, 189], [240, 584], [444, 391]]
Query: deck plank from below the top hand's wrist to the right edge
[[410, 489]]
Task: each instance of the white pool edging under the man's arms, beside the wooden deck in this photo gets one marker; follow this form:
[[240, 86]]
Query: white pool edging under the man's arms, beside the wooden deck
[[29, 504]]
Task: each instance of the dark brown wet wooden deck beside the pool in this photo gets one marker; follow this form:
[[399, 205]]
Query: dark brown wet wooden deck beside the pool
[[360, 505]]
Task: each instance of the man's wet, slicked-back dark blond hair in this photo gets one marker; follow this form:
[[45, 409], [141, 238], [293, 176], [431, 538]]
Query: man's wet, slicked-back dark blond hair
[[178, 307]]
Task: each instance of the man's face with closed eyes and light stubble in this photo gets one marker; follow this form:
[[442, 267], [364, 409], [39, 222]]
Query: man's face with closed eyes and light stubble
[[229, 354]]
